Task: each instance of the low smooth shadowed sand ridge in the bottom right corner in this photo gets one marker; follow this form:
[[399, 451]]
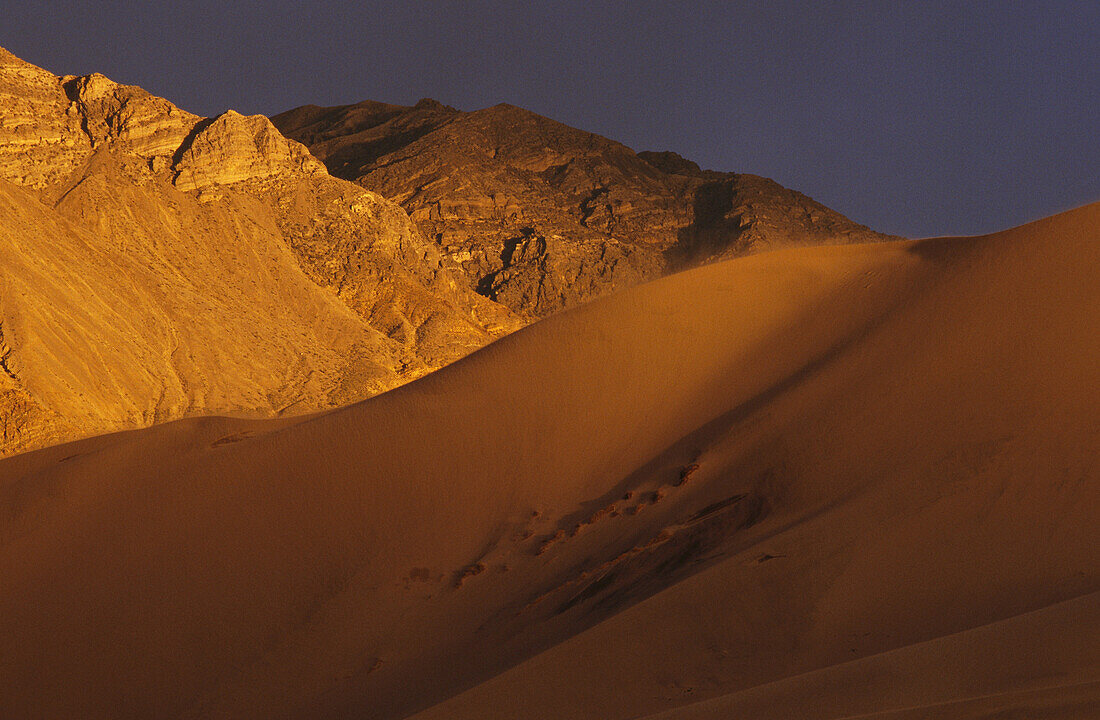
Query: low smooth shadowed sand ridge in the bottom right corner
[[1039, 662]]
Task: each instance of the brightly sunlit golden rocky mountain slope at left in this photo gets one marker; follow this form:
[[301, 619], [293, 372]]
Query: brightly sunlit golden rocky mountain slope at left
[[156, 264]]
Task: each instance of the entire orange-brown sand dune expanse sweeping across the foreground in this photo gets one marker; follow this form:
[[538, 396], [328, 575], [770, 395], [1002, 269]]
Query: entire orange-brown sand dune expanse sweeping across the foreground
[[855, 481]]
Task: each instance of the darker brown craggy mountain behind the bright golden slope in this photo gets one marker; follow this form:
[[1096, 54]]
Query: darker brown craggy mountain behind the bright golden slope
[[543, 217]]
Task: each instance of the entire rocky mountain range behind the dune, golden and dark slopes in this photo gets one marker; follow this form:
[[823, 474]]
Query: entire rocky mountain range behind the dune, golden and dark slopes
[[159, 265]]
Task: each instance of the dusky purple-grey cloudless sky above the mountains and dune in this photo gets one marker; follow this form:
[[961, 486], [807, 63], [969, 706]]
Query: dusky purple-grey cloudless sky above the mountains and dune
[[919, 119]]
